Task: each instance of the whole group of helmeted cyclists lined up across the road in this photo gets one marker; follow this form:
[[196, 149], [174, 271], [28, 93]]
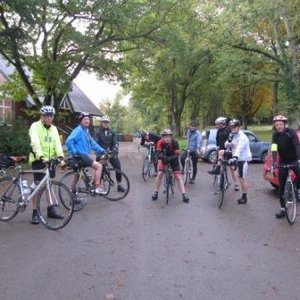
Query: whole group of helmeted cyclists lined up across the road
[[232, 145]]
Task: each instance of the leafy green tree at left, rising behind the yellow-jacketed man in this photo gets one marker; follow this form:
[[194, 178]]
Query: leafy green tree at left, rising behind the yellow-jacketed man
[[50, 41]]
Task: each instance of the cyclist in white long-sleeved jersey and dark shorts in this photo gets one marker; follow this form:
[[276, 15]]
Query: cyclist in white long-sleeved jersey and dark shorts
[[241, 156]]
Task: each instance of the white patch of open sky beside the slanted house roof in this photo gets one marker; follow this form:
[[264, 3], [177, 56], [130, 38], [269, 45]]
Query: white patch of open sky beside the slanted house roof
[[97, 90]]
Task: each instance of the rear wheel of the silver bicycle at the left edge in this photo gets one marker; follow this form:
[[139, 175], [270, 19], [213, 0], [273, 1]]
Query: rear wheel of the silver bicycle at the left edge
[[9, 197]]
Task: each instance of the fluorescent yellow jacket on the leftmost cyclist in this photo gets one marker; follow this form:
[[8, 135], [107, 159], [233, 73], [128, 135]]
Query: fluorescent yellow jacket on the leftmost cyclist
[[45, 142]]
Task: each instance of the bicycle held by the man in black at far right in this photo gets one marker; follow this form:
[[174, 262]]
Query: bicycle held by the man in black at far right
[[289, 195]]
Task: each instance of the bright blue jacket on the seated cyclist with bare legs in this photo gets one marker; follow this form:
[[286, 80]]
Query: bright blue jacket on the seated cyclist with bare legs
[[81, 142]]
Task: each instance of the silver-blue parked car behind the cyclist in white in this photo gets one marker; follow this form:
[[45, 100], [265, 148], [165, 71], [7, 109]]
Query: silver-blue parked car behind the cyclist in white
[[208, 146]]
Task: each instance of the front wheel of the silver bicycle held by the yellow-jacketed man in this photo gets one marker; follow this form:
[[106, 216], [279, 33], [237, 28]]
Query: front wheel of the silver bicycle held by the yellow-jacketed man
[[60, 197]]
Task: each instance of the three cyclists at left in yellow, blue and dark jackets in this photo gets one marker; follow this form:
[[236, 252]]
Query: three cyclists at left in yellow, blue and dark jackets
[[45, 144]]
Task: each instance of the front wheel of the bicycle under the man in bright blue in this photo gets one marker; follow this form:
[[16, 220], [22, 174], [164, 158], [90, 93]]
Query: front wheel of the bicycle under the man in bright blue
[[110, 184]]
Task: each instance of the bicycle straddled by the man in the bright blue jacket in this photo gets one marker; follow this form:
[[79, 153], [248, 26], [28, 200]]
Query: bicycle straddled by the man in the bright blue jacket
[[81, 183]]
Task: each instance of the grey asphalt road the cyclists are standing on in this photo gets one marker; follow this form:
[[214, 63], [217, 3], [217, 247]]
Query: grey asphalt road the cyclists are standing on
[[137, 249]]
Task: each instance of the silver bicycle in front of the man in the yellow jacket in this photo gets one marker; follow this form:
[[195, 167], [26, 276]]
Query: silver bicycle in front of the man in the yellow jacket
[[15, 196]]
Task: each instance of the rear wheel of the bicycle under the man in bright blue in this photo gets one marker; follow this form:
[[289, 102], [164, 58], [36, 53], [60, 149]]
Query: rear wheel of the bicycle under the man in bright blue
[[78, 187]]
